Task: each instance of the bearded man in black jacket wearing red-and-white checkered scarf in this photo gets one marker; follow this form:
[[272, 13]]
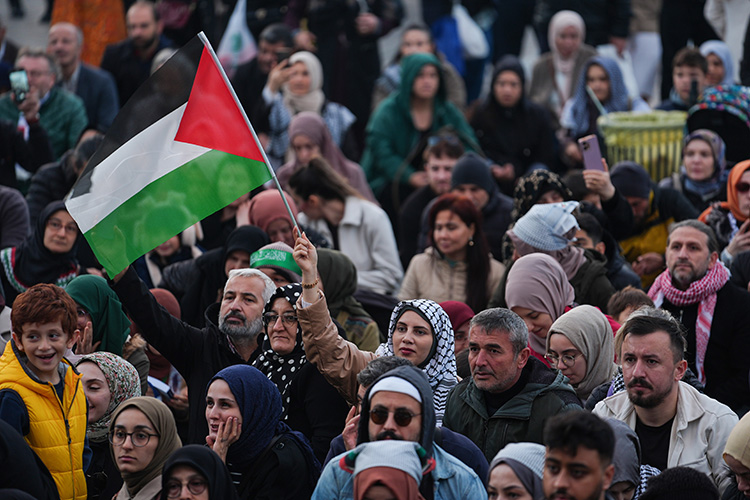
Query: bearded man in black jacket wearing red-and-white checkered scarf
[[695, 288]]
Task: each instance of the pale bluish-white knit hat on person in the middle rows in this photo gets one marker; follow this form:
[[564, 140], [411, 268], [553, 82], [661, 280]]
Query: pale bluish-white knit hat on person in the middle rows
[[545, 227]]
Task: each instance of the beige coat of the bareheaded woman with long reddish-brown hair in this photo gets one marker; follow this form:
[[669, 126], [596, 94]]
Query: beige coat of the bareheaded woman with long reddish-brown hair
[[430, 276]]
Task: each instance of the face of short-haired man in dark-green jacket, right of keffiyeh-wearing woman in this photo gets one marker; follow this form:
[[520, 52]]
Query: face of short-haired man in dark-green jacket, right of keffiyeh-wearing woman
[[494, 366]]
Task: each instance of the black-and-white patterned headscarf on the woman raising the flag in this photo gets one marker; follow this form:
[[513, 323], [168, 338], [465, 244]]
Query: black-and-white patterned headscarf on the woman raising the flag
[[440, 367]]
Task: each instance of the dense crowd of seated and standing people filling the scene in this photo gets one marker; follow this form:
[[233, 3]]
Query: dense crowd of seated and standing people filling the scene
[[444, 299]]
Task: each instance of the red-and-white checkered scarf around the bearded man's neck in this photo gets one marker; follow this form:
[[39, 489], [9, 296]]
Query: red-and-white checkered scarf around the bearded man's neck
[[703, 291]]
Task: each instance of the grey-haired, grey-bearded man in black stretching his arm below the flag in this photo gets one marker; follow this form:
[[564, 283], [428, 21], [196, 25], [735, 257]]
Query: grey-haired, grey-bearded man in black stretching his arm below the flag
[[230, 337]]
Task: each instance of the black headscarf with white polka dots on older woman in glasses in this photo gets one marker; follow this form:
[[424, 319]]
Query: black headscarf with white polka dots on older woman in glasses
[[282, 369]]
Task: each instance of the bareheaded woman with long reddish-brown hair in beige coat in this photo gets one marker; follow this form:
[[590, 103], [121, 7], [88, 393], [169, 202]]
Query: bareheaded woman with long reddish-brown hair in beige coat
[[458, 265]]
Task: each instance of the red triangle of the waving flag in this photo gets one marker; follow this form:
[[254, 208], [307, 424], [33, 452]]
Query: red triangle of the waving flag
[[212, 118]]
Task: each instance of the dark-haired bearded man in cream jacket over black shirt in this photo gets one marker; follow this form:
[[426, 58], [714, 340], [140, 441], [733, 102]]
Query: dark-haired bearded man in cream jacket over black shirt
[[675, 423]]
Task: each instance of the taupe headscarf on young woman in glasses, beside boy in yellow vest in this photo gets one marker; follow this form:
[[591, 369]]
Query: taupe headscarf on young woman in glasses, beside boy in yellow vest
[[161, 418]]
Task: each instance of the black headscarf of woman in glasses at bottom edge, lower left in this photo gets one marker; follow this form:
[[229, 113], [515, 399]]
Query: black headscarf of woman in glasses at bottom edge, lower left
[[208, 464]]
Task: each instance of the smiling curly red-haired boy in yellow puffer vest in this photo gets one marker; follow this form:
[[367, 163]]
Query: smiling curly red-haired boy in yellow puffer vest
[[40, 392]]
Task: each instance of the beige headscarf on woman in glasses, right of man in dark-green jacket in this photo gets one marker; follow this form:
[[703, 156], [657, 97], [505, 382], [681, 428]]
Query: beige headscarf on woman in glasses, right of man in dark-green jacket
[[590, 332]]
